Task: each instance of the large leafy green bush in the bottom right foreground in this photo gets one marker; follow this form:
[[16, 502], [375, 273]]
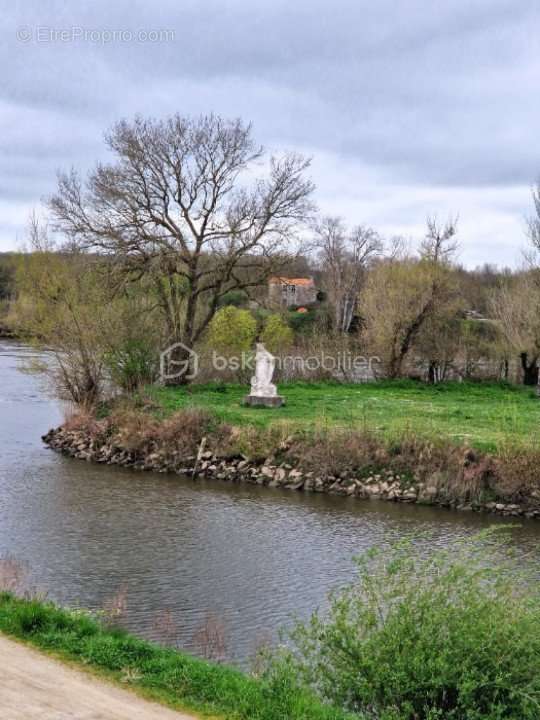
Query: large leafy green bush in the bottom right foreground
[[427, 638]]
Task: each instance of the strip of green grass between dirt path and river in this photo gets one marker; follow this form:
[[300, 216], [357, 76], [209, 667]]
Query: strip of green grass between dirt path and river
[[165, 675]]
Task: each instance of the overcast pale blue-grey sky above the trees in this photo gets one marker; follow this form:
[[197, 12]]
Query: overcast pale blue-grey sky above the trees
[[408, 108]]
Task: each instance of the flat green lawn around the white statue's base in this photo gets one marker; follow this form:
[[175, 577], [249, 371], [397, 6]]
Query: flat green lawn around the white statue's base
[[484, 415]]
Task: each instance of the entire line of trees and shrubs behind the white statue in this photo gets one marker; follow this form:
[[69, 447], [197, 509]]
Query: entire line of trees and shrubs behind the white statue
[[173, 241]]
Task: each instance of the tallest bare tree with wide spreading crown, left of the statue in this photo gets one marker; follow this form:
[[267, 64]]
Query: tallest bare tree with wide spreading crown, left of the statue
[[179, 204]]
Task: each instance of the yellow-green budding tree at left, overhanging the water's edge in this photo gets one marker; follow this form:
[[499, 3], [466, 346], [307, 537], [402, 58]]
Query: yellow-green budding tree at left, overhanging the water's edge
[[94, 334]]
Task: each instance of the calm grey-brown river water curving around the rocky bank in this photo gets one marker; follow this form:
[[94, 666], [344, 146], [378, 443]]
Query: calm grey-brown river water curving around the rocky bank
[[240, 561]]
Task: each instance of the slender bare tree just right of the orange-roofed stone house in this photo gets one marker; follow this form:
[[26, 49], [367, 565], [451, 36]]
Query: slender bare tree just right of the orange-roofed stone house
[[344, 257]]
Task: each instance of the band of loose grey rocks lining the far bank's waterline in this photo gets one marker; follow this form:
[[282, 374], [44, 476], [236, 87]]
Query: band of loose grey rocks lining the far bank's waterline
[[384, 485]]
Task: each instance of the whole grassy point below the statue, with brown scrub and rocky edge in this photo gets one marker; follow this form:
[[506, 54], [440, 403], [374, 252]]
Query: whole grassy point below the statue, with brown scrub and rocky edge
[[470, 445]]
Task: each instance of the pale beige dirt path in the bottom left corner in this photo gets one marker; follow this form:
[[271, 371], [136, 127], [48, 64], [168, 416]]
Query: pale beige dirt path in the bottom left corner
[[35, 687]]
